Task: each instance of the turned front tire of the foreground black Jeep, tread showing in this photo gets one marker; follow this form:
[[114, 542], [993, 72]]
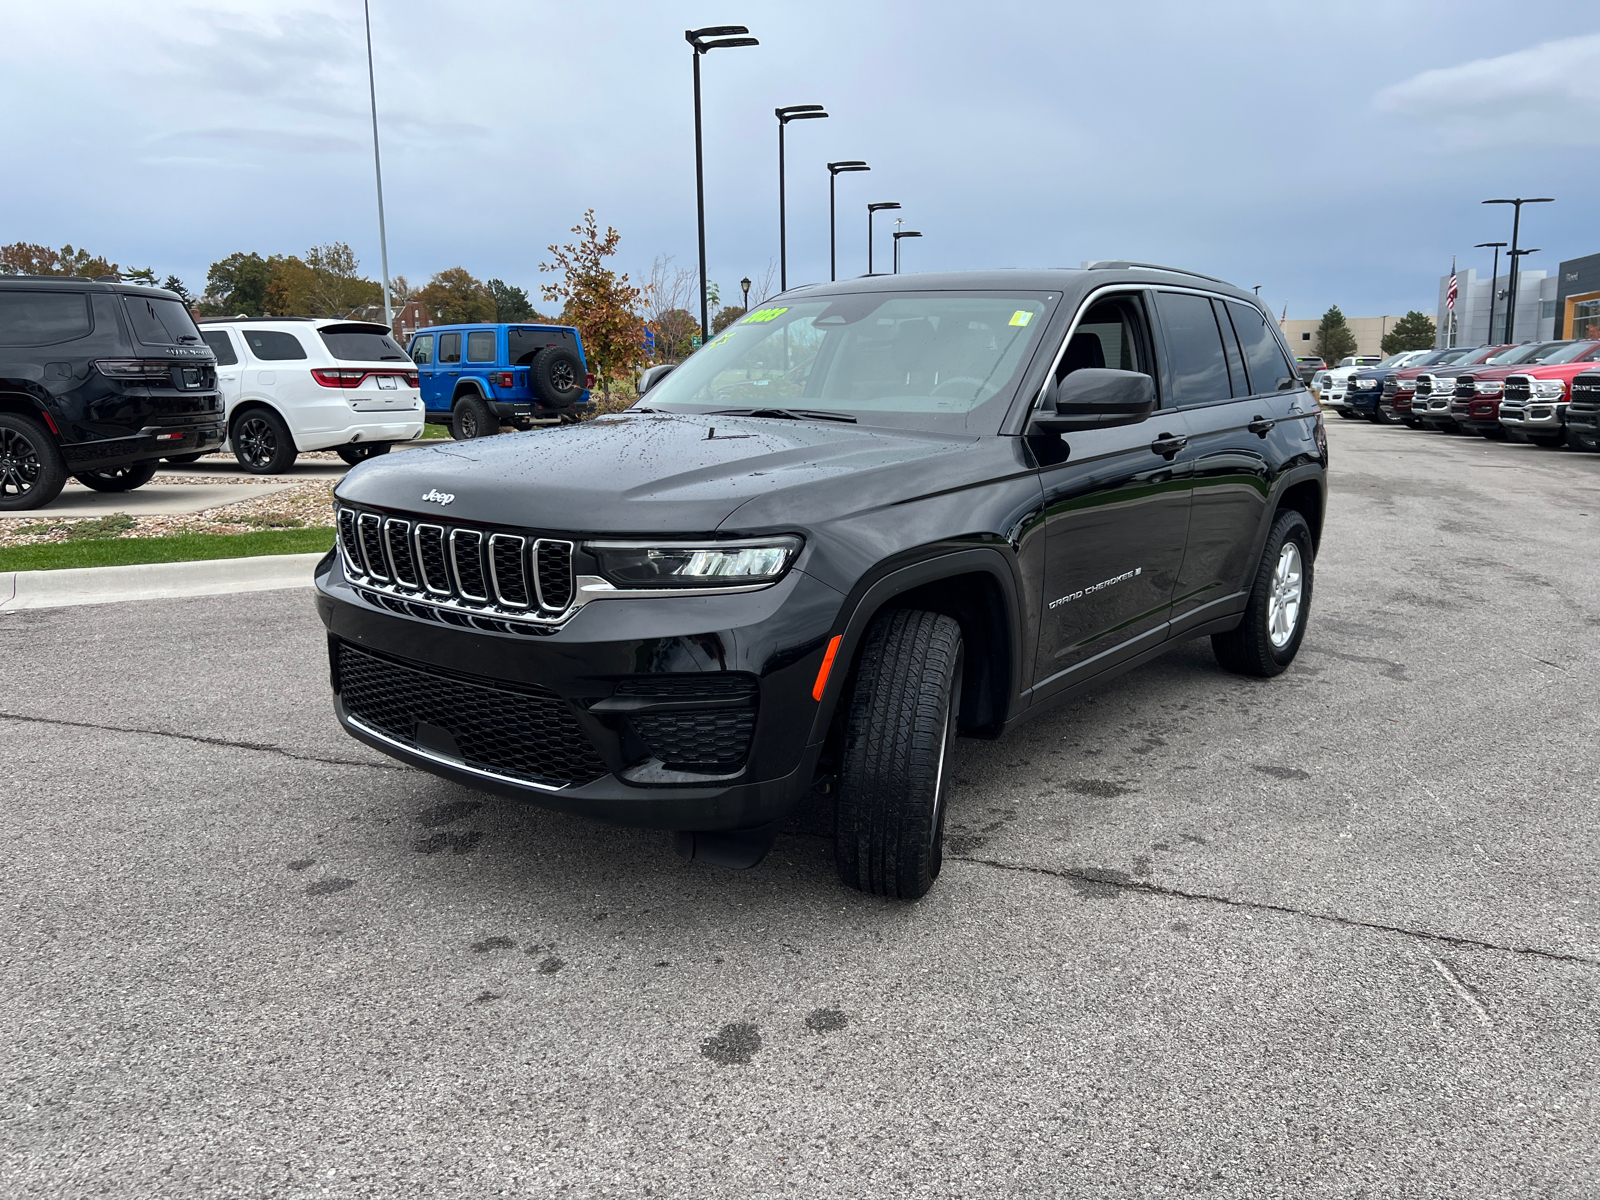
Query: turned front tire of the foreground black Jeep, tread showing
[[897, 764]]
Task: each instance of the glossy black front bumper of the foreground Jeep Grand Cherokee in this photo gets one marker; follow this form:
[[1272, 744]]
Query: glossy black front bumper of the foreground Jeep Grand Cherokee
[[590, 674]]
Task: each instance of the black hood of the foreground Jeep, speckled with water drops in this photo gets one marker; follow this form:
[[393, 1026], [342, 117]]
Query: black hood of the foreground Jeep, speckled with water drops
[[657, 473]]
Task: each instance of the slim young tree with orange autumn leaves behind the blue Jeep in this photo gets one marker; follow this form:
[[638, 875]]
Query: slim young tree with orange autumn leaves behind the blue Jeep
[[602, 305]]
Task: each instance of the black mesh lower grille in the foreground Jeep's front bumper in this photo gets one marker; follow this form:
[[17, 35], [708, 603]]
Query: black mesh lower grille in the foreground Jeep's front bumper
[[522, 735]]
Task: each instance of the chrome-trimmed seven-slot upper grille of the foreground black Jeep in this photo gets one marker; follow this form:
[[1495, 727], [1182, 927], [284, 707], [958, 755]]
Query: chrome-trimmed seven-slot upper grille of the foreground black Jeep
[[458, 574]]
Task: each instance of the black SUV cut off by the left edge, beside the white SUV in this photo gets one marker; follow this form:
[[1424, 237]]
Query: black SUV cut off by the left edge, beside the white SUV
[[98, 380]]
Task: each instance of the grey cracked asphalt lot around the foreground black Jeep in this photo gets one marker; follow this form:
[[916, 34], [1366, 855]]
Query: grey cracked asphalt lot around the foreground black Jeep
[[1334, 935]]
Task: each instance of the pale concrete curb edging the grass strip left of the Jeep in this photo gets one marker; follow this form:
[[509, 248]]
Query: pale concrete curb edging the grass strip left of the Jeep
[[154, 582]]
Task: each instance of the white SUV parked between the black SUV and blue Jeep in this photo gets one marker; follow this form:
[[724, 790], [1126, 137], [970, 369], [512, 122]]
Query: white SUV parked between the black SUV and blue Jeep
[[302, 383]]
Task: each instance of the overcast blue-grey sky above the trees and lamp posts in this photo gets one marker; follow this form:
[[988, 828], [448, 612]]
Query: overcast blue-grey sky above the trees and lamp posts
[[1332, 153]]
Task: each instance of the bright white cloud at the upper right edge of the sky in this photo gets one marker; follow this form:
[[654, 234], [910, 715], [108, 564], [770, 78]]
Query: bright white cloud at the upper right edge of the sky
[[1543, 95]]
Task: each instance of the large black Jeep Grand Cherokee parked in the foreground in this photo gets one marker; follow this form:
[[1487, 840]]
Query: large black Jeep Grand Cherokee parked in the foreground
[[866, 519]]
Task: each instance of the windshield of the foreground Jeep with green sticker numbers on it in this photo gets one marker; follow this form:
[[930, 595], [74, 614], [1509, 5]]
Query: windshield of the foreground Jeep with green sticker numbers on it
[[919, 359]]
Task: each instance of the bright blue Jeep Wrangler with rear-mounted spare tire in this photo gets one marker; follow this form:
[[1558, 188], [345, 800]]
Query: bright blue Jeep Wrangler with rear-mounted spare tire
[[478, 377]]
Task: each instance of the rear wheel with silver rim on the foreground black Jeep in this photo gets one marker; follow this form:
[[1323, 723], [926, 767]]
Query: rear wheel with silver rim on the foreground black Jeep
[[1270, 638]]
